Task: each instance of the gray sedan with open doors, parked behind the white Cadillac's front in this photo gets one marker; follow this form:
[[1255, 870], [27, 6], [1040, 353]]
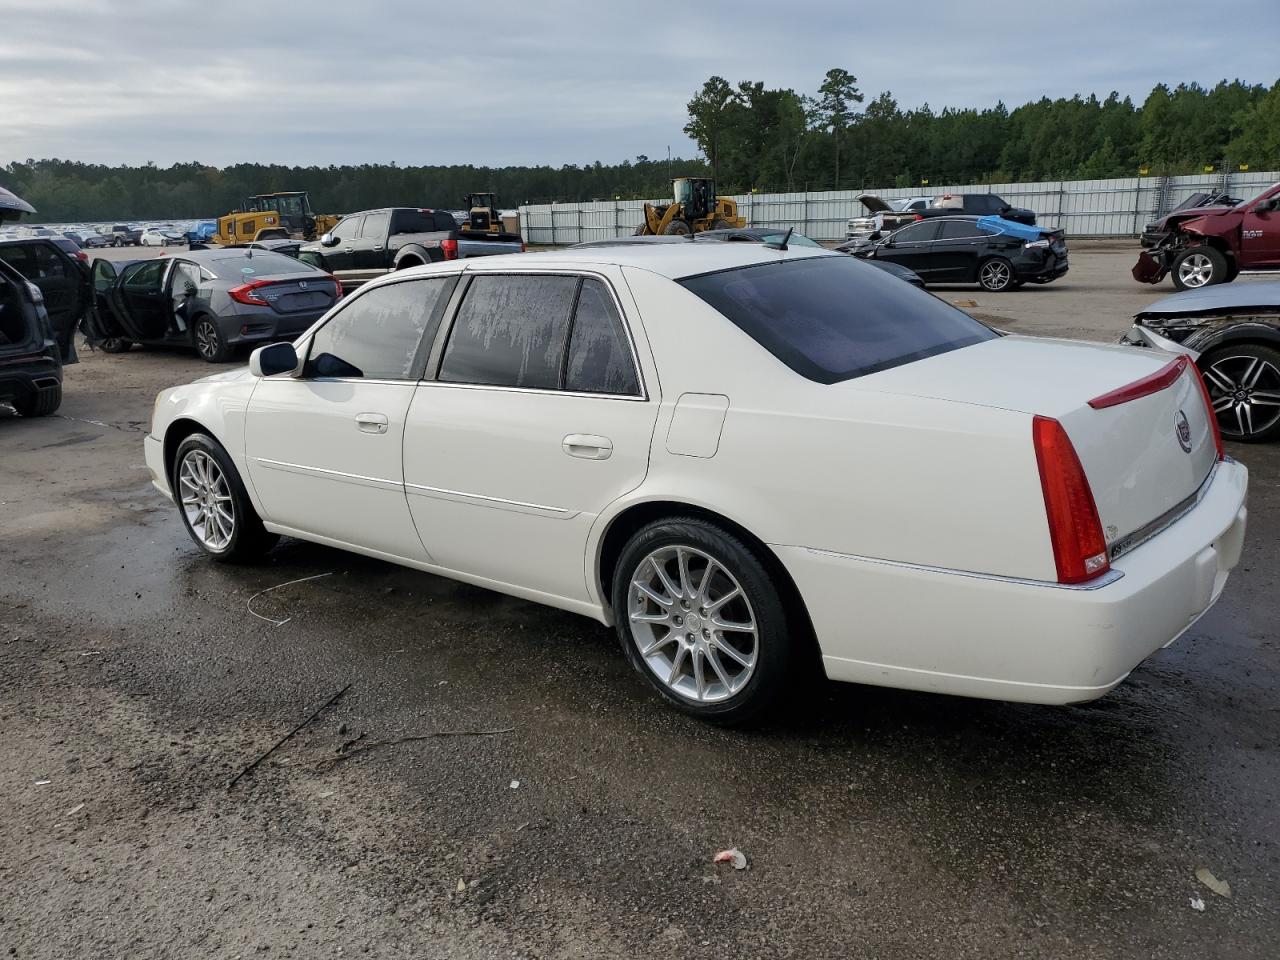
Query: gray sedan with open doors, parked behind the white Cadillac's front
[[213, 300]]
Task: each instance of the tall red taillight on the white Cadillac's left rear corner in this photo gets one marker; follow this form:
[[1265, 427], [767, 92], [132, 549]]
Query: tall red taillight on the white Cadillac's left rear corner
[[1075, 529]]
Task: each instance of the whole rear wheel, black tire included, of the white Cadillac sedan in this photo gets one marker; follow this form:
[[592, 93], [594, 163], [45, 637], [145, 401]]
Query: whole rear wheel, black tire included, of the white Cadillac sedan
[[755, 666]]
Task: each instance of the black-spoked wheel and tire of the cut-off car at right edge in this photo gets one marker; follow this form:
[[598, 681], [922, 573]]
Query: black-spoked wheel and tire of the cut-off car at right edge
[[1245, 387]]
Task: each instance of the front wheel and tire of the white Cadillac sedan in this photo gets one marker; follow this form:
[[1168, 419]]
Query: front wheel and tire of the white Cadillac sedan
[[204, 474]]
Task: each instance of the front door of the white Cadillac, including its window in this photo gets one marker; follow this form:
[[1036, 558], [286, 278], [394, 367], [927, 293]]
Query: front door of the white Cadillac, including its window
[[324, 449]]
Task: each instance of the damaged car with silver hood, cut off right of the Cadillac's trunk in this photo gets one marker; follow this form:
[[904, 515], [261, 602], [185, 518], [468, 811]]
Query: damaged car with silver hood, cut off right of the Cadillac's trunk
[[1233, 335]]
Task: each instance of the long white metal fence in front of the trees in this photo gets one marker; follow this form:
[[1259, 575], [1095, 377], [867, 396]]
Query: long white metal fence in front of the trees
[[1118, 208]]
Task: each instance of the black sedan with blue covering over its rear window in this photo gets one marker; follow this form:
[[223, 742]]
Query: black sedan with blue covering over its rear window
[[995, 254]]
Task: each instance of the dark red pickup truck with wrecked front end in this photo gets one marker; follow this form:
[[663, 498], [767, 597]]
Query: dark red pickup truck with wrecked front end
[[1213, 244]]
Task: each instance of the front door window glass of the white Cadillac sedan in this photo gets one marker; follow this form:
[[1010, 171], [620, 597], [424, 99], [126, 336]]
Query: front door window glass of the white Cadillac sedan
[[378, 333]]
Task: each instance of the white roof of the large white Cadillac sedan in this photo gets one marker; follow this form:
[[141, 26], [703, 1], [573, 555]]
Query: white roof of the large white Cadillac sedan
[[671, 260]]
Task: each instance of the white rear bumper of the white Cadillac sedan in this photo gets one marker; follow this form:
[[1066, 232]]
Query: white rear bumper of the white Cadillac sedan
[[975, 636]]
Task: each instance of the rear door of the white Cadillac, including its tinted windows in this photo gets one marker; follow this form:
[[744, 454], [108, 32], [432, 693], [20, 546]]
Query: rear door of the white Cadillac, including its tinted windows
[[538, 419]]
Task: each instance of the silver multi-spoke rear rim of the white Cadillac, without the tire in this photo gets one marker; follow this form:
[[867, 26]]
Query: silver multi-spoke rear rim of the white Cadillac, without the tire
[[692, 624]]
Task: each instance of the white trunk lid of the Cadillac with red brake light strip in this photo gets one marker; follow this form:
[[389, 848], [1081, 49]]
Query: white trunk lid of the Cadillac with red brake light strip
[[1146, 459]]
